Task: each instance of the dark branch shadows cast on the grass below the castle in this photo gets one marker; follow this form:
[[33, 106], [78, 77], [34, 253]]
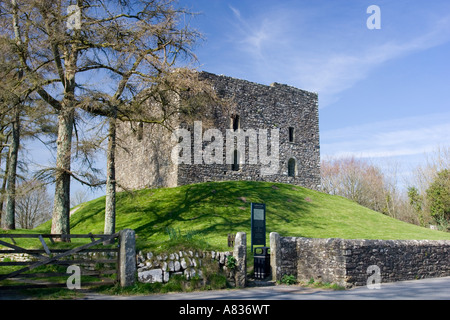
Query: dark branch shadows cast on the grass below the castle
[[213, 207]]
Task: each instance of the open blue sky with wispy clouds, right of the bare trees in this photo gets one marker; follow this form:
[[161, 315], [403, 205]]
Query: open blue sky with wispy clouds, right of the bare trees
[[383, 94]]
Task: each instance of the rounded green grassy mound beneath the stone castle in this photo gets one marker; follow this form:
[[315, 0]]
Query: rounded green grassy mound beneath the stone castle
[[209, 211]]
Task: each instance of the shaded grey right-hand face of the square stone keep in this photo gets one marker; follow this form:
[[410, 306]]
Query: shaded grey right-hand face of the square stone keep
[[265, 107]]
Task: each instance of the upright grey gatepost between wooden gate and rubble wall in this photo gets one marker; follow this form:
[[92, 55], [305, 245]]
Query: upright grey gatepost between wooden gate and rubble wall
[[127, 258]]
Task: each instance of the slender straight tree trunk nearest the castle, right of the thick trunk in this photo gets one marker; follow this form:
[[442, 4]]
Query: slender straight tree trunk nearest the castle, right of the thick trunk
[[110, 205]]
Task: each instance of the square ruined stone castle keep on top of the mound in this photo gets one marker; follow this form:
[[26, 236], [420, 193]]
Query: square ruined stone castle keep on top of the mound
[[145, 158]]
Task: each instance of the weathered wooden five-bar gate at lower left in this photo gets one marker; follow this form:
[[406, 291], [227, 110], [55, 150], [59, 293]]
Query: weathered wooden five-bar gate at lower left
[[47, 256]]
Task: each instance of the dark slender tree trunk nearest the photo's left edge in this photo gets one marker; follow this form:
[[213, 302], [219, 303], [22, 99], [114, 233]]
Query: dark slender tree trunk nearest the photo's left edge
[[9, 216]]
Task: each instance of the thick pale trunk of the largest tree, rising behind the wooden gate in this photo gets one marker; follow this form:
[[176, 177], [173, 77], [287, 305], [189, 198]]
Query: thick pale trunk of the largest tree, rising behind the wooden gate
[[61, 205]]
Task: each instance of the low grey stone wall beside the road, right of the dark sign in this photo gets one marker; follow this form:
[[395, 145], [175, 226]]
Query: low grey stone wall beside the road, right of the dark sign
[[346, 262]]
